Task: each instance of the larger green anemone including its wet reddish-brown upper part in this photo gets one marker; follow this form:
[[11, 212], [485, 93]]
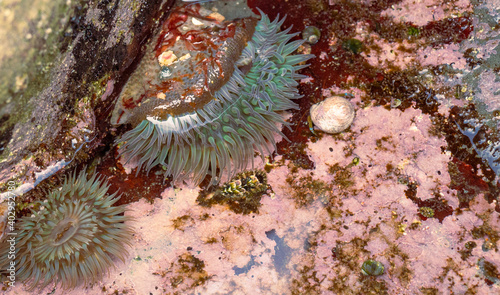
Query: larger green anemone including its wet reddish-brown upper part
[[250, 79]]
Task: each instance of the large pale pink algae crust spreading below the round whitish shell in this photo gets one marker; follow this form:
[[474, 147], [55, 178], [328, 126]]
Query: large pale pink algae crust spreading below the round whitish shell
[[316, 246]]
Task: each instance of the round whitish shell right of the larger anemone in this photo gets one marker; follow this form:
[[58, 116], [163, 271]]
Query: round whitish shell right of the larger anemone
[[333, 115]]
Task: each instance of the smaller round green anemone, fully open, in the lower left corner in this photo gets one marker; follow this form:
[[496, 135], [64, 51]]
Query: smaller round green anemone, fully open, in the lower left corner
[[73, 238]]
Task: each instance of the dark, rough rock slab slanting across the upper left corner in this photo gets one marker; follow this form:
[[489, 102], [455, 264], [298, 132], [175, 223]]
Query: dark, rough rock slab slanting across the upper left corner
[[63, 121]]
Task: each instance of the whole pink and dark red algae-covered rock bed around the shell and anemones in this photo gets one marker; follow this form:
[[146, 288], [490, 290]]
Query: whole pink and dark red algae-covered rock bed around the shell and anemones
[[398, 203]]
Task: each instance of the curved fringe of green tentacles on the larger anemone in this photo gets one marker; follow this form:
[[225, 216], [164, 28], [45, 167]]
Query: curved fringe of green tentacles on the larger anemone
[[241, 118]]
